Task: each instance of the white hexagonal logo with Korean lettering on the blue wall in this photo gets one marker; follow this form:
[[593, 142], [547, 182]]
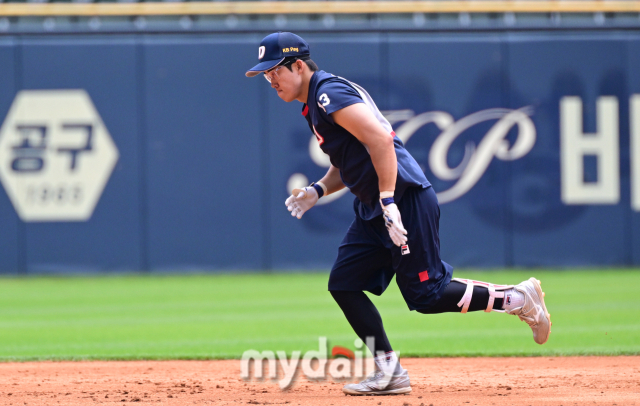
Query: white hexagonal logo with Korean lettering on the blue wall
[[56, 155]]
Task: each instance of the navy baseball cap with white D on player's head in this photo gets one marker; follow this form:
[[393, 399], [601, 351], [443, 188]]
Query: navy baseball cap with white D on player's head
[[274, 48]]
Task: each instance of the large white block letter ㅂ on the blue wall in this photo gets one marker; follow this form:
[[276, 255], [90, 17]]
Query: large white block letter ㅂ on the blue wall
[[604, 144]]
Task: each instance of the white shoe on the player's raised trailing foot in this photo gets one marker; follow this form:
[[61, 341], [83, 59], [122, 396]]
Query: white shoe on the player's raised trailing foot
[[534, 311]]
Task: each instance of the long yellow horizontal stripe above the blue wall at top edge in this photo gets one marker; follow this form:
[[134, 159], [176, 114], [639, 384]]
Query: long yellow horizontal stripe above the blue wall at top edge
[[313, 7]]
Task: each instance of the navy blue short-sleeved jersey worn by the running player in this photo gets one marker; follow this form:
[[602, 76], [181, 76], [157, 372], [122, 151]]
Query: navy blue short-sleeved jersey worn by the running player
[[329, 93]]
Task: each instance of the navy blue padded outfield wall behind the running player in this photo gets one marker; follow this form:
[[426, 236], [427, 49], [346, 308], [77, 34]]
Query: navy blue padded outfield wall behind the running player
[[206, 156]]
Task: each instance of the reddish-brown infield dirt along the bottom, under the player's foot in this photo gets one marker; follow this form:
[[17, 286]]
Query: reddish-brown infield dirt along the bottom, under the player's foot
[[435, 381]]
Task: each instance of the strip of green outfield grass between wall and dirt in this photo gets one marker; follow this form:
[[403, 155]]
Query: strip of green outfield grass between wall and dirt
[[221, 316]]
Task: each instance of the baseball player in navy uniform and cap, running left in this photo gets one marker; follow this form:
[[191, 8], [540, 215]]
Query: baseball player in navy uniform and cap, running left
[[395, 229]]
